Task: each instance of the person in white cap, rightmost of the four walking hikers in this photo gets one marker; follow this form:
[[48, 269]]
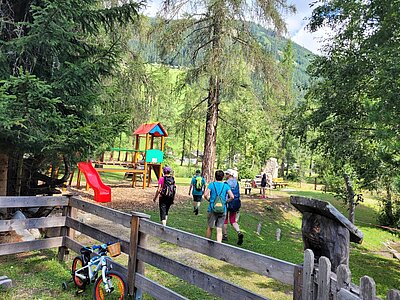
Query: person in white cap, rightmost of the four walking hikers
[[233, 207]]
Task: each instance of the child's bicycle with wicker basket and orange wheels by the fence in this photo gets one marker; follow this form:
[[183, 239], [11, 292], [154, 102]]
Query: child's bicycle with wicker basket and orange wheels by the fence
[[108, 284]]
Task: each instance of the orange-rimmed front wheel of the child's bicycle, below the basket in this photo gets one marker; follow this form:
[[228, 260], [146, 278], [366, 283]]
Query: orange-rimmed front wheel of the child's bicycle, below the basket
[[117, 284]]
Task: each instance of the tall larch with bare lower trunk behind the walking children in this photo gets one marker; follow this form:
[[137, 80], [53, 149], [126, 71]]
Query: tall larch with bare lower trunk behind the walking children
[[220, 37]]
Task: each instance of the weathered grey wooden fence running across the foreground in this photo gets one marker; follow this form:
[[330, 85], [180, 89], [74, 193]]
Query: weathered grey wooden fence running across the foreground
[[309, 281]]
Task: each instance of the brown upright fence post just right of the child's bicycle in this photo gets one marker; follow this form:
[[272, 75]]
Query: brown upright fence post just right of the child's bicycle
[[133, 264]]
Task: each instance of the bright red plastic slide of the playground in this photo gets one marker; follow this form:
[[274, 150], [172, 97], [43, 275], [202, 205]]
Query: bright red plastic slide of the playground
[[102, 192]]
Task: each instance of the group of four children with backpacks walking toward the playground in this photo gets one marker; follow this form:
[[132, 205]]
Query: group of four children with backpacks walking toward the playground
[[223, 197]]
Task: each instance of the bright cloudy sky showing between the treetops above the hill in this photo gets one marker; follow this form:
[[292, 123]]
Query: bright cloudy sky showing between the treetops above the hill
[[296, 24]]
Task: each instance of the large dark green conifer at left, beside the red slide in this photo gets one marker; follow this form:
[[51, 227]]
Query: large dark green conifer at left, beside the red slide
[[52, 61]]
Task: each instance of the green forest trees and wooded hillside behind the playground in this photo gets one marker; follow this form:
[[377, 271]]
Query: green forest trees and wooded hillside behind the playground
[[77, 77]]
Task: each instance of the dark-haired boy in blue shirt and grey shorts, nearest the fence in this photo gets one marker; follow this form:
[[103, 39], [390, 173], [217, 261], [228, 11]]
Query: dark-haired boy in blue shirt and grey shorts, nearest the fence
[[218, 193]]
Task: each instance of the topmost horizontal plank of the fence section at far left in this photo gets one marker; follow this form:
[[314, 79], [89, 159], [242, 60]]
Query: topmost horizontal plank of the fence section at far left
[[31, 201]]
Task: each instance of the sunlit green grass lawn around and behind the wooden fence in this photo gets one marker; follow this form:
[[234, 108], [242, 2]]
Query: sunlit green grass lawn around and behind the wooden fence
[[39, 275]]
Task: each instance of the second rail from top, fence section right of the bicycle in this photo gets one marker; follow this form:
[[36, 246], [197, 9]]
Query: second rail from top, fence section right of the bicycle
[[203, 280]]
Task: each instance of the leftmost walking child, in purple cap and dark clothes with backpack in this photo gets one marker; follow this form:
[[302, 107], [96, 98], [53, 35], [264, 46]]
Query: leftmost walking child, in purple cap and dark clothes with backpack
[[166, 189]]
